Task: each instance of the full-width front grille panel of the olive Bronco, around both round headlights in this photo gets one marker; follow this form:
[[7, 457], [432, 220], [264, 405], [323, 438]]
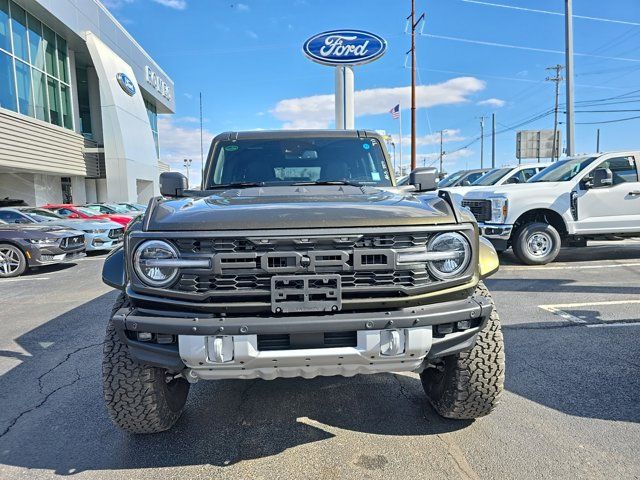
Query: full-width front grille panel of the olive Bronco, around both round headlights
[[256, 271]]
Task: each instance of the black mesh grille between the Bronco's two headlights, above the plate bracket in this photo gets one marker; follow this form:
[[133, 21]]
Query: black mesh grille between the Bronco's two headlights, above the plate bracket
[[244, 267]]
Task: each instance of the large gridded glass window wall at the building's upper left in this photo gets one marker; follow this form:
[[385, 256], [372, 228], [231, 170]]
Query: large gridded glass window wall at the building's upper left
[[34, 68]]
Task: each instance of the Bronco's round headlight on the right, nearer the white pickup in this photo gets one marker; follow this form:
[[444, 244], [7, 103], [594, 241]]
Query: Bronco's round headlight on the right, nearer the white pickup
[[449, 254]]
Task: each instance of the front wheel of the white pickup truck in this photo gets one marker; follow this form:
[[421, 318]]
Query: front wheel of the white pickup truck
[[537, 244]]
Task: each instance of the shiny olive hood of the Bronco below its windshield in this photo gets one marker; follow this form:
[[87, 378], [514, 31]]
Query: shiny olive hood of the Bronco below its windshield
[[289, 207]]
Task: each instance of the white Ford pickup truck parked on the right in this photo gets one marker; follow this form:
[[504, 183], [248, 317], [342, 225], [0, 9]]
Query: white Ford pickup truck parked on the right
[[577, 199]]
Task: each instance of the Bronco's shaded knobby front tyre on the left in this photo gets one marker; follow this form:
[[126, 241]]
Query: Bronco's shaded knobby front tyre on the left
[[139, 398]]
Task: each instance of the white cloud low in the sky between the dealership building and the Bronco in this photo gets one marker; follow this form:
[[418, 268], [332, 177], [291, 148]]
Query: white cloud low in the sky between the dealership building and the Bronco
[[179, 142]]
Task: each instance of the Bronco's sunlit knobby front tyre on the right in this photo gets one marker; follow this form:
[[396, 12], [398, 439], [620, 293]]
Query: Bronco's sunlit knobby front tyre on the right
[[468, 384]]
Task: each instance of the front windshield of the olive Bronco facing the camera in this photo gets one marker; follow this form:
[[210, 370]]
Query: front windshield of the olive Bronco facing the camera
[[293, 161]]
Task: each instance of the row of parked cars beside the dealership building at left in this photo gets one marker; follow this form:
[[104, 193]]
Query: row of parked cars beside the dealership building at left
[[37, 236]]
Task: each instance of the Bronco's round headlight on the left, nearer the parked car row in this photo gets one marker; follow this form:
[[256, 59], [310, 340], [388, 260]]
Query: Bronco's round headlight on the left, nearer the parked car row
[[155, 263]]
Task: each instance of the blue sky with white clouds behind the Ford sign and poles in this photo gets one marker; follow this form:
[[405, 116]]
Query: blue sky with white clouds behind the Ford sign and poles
[[246, 59]]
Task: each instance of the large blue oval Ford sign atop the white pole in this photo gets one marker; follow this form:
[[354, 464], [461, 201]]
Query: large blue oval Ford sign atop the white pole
[[345, 47]]
